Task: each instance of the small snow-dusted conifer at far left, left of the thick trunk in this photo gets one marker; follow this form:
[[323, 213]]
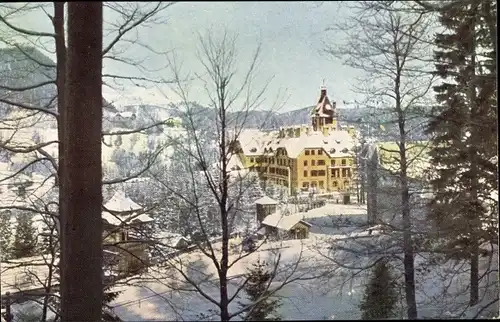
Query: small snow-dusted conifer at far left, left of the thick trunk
[[25, 237]]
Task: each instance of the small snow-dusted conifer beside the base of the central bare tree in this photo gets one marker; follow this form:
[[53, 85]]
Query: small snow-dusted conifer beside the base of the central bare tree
[[256, 289]]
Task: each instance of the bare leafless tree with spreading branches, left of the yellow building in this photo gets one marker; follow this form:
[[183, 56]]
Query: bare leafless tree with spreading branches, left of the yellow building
[[212, 188]]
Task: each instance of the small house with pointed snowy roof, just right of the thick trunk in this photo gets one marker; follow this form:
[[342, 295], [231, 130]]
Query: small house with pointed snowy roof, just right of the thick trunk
[[125, 226]]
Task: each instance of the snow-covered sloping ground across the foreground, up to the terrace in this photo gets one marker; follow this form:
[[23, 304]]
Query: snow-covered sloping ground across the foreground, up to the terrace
[[333, 293]]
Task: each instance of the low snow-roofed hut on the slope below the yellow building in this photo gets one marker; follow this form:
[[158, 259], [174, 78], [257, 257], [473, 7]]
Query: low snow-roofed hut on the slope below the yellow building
[[290, 226]]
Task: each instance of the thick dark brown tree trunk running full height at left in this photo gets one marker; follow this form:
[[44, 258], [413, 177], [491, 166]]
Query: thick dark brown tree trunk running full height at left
[[82, 294]]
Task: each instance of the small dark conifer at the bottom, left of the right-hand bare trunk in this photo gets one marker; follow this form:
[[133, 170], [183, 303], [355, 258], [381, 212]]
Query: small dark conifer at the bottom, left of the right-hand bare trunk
[[380, 296]]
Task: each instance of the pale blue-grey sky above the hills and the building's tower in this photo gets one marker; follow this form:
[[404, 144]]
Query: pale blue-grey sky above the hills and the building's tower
[[292, 35]]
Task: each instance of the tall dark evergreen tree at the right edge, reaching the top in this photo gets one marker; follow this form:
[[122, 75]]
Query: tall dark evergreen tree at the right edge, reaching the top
[[464, 132]]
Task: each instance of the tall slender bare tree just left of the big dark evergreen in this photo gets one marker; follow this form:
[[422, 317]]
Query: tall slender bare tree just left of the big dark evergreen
[[386, 47]]
